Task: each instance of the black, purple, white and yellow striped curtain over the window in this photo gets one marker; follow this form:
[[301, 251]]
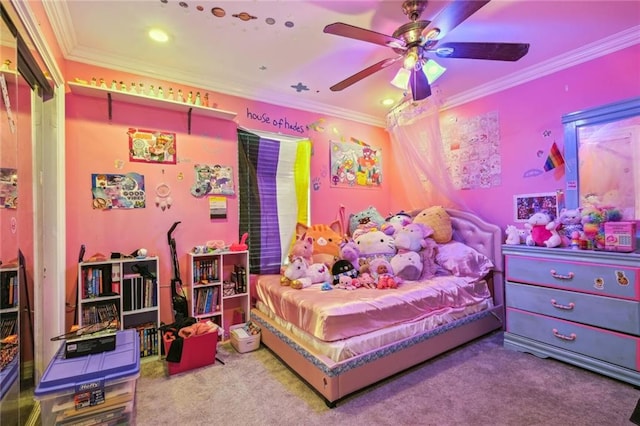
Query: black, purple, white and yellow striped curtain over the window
[[273, 193]]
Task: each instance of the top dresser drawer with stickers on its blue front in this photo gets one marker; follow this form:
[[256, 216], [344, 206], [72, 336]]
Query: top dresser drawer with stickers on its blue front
[[590, 277]]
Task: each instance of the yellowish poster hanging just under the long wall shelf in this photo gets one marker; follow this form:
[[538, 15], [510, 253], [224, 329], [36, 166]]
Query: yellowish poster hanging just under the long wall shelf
[[152, 146]]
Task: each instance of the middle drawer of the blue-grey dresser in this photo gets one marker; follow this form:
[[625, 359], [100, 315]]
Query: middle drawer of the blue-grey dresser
[[600, 311]]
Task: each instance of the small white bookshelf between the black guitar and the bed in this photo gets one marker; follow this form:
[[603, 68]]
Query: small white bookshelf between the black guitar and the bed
[[219, 287]]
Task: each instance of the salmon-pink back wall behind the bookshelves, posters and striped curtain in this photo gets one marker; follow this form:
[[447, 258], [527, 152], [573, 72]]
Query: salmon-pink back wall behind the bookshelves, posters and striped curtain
[[96, 145]]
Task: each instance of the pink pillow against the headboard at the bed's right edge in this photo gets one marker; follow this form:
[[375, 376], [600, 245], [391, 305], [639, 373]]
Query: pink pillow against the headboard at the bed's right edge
[[462, 260]]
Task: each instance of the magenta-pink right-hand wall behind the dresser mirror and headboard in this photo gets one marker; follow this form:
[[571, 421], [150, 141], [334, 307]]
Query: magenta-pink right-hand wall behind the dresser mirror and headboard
[[525, 112]]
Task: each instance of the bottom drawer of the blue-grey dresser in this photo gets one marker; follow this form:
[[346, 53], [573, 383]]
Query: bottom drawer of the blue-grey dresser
[[608, 346]]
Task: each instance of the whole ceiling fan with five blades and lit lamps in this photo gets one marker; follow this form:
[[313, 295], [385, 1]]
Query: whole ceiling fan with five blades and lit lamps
[[415, 41]]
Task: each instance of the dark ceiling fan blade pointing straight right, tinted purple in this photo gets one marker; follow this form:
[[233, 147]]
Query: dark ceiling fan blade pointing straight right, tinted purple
[[490, 51]]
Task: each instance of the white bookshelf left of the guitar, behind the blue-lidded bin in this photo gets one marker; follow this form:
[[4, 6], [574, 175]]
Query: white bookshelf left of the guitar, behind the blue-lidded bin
[[124, 290]]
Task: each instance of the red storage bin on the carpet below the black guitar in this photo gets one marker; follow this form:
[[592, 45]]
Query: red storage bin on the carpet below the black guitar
[[197, 351]]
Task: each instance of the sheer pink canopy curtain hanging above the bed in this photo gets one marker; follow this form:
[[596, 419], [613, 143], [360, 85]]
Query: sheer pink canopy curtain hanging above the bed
[[418, 152]]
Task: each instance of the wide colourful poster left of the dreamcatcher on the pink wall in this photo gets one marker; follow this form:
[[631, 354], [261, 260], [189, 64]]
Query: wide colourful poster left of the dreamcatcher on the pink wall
[[114, 191]]
